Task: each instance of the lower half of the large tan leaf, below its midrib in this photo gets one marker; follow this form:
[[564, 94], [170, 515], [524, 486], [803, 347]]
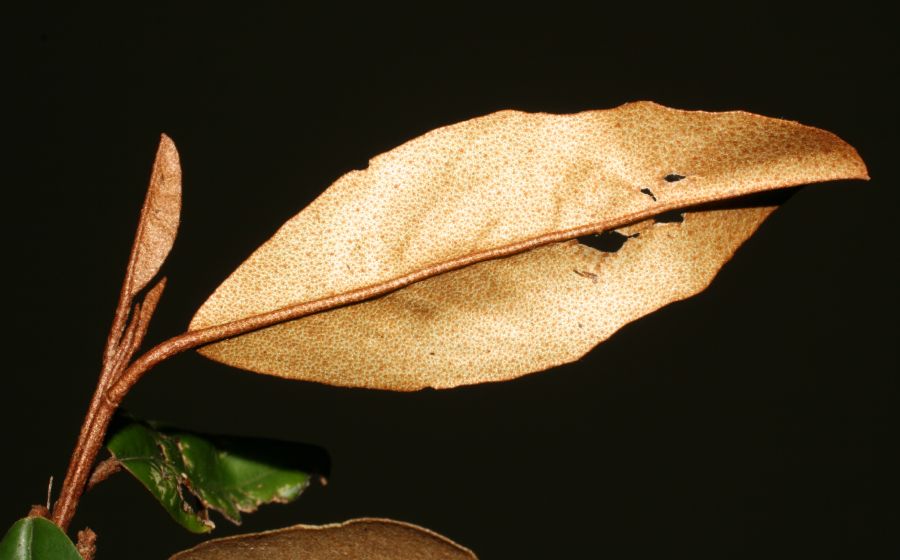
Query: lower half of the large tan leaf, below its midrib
[[502, 318]]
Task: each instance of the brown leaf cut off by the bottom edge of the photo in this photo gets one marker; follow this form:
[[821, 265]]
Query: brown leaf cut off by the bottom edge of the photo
[[362, 539]]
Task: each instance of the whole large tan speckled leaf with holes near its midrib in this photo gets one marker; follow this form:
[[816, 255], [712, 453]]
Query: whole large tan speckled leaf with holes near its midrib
[[442, 214]]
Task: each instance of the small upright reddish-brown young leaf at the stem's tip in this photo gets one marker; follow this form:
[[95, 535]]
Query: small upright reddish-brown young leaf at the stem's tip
[[160, 216]]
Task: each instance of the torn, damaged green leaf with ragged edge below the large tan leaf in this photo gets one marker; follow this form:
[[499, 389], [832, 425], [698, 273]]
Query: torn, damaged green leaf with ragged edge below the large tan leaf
[[190, 474]]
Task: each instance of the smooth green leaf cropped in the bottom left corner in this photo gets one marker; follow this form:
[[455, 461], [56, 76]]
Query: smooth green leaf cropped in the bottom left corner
[[35, 538]]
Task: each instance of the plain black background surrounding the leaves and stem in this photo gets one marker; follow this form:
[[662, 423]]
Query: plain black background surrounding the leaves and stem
[[751, 421]]
